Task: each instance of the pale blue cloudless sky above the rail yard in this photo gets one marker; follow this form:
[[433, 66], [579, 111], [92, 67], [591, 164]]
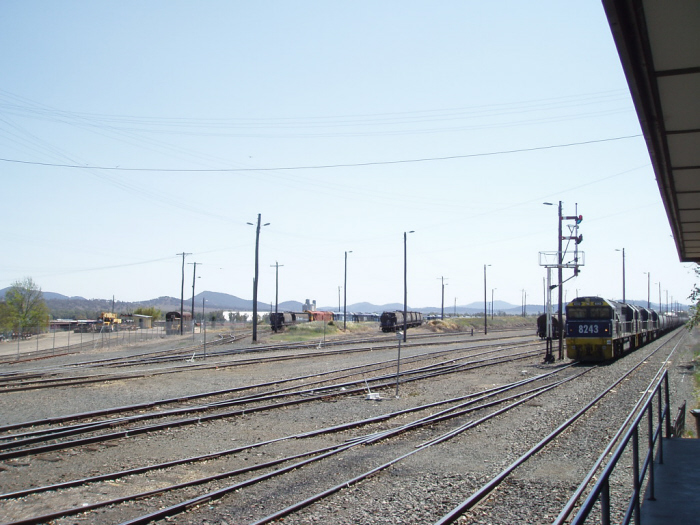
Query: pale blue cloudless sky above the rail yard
[[131, 132]]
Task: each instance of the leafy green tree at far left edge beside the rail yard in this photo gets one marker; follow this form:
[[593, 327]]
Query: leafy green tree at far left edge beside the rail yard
[[24, 308]]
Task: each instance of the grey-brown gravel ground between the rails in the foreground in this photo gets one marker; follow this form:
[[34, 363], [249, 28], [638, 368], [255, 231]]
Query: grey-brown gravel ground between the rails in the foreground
[[419, 489]]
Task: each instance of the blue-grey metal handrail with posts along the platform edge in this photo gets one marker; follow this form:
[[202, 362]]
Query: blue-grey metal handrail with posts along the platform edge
[[601, 490]]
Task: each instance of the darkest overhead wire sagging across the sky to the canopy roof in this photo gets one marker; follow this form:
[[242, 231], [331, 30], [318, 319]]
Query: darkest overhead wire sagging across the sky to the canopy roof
[[321, 166]]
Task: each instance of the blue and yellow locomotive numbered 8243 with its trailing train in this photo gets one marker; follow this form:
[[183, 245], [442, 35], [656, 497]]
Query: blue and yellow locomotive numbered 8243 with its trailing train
[[598, 329]]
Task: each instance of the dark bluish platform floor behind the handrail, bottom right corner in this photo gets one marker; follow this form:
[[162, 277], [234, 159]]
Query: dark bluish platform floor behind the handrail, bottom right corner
[[677, 485]]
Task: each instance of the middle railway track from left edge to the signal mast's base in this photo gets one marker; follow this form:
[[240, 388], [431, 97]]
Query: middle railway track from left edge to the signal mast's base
[[15, 439]]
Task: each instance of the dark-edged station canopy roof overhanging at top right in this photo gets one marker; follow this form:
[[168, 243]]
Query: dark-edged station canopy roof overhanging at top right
[[659, 45]]
